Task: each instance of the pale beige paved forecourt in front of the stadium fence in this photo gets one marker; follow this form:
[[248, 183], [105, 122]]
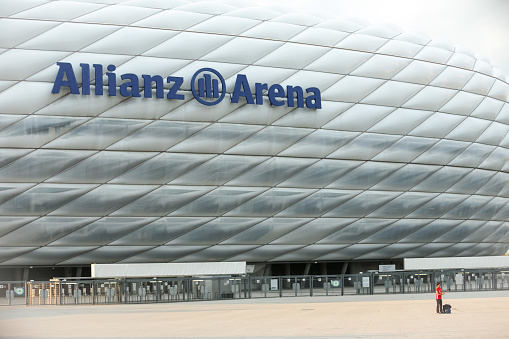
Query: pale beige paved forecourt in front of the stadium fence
[[474, 315]]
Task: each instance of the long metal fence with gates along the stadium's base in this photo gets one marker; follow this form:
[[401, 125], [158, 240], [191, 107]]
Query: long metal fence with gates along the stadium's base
[[159, 290]]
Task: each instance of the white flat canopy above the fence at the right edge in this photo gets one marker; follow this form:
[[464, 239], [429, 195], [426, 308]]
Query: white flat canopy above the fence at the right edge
[[456, 263]]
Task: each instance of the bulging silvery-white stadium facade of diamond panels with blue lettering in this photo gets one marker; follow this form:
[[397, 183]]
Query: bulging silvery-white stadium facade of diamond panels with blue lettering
[[265, 136]]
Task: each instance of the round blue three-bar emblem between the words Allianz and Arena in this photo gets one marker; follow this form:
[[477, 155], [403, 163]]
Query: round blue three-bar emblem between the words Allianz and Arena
[[208, 92]]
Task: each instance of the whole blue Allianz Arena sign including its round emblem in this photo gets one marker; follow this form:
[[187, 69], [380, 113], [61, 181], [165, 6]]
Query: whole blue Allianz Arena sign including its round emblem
[[207, 86]]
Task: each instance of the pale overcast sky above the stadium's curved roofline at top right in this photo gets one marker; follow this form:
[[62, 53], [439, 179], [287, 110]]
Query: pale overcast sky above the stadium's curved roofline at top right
[[480, 25]]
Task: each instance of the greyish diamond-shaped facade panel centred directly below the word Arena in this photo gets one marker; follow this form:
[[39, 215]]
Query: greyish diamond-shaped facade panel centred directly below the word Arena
[[270, 141]]
